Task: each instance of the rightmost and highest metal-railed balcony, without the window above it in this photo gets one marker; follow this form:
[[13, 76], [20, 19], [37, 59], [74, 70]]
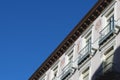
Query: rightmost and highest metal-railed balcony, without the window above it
[[106, 33]]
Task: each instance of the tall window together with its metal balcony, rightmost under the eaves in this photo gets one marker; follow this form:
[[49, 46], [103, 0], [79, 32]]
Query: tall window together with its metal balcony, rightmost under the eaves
[[108, 28]]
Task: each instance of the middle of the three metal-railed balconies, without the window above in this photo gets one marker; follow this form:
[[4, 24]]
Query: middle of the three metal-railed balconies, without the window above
[[84, 53]]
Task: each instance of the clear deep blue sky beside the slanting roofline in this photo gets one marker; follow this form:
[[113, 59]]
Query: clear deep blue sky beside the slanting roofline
[[31, 29]]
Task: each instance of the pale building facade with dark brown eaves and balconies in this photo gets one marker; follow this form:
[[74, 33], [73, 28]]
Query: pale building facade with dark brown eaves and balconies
[[91, 51]]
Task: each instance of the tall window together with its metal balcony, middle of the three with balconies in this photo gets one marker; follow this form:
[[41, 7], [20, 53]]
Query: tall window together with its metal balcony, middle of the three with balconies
[[86, 49]]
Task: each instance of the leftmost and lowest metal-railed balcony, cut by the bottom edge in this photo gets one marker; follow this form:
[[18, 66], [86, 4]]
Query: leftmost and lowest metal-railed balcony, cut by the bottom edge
[[67, 72]]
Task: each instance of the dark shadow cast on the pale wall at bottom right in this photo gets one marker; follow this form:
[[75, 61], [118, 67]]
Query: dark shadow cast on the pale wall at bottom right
[[111, 71]]
